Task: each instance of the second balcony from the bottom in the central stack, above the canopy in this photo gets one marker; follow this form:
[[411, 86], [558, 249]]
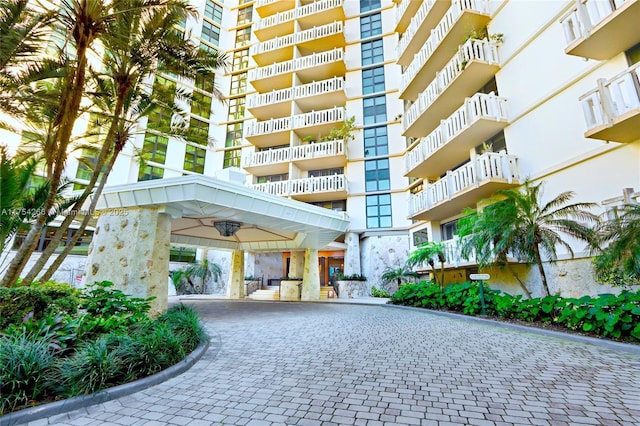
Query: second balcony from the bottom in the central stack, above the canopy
[[276, 161]]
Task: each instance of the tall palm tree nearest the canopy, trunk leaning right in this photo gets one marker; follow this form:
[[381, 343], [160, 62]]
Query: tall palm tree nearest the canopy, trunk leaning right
[[138, 44]]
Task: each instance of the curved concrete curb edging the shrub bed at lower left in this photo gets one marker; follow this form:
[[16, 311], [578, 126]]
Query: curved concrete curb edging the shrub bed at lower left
[[60, 407]]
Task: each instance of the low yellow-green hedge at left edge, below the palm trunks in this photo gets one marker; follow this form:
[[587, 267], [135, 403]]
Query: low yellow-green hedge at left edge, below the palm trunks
[[41, 300]]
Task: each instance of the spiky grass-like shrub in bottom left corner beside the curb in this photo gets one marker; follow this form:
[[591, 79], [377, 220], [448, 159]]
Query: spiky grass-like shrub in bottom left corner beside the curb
[[26, 364]]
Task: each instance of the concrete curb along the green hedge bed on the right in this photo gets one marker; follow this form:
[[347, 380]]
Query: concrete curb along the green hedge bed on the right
[[603, 343]]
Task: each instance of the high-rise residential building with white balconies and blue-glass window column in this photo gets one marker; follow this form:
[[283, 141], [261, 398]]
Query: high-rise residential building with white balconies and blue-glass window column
[[403, 113]]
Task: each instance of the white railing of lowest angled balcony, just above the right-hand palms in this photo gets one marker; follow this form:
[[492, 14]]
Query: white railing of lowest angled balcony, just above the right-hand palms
[[486, 166]]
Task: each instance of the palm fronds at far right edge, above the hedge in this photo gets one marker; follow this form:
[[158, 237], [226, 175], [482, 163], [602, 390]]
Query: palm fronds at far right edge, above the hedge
[[619, 262]]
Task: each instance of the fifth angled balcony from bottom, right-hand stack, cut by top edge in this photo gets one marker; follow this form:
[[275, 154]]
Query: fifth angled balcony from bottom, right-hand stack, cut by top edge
[[424, 19]]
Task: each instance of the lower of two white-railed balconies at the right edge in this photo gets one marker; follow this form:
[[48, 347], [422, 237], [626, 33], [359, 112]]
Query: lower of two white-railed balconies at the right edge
[[612, 110]]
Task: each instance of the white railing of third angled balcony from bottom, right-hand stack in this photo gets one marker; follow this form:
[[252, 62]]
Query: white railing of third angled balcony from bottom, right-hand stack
[[472, 50]]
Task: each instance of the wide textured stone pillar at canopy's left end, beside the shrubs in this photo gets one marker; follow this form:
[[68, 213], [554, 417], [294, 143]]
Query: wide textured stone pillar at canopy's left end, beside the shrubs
[[130, 248]]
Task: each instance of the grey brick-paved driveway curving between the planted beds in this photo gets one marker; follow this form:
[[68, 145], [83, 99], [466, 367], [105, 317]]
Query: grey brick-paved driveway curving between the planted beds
[[336, 364]]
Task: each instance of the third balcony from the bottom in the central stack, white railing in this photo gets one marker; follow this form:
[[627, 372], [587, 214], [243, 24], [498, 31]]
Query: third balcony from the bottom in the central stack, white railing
[[275, 131]]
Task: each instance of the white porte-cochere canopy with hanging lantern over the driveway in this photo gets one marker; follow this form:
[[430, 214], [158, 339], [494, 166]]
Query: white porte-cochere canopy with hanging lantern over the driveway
[[267, 222]]
